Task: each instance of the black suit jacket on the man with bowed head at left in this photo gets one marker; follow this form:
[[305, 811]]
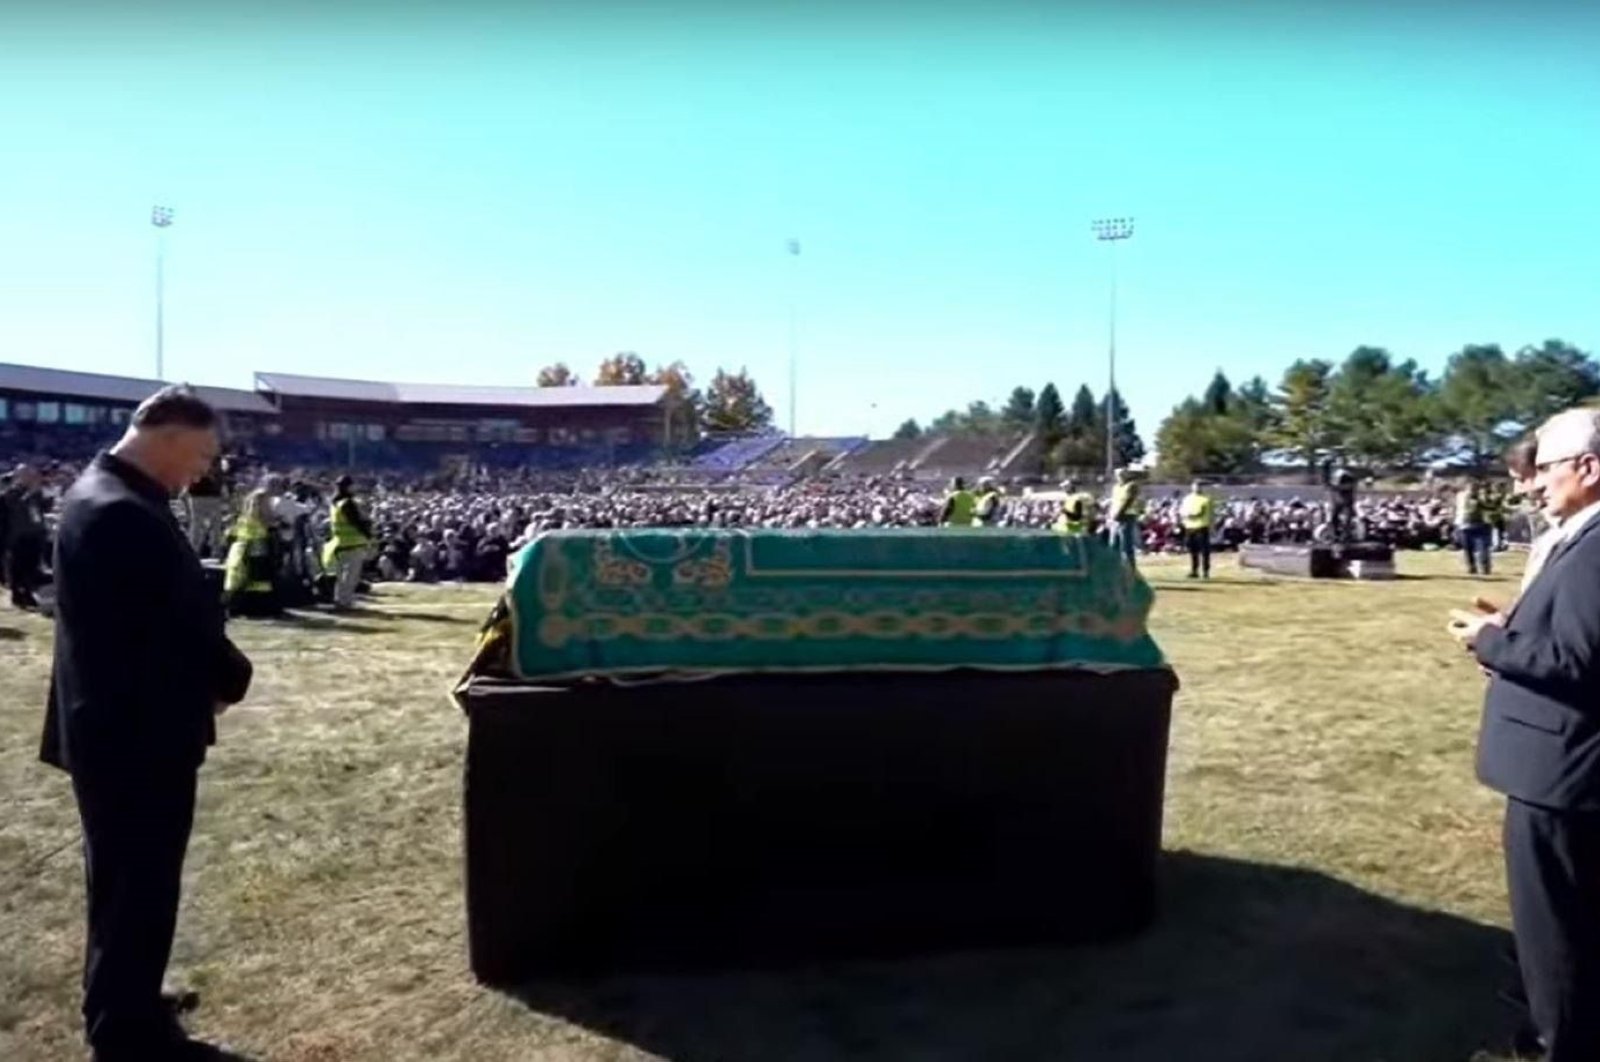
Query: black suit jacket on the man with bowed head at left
[[142, 655]]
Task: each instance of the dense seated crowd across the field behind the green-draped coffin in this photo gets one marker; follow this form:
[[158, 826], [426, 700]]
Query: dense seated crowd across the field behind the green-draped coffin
[[463, 525]]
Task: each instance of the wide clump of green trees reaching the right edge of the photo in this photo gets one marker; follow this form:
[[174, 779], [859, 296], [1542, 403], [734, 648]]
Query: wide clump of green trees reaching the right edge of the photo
[[1377, 413]]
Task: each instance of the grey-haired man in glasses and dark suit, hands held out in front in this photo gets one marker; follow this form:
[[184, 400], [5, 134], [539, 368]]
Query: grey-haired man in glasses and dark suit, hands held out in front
[[1540, 745]]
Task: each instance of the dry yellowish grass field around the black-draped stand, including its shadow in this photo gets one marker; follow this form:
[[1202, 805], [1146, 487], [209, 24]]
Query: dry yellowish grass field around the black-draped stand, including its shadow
[[1332, 885]]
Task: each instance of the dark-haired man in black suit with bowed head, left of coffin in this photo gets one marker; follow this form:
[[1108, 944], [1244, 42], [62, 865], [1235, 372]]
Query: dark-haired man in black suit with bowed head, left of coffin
[[142, 669]]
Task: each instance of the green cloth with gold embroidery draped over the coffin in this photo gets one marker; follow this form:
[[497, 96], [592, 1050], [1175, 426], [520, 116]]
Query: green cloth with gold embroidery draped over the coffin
[[660, 602]]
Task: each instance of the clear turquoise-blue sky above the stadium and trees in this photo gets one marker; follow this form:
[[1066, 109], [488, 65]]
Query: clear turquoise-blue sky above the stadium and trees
[[428, 194]]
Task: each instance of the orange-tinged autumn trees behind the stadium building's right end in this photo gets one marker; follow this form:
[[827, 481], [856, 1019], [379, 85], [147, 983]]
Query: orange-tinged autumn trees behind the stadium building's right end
[[730, 402]]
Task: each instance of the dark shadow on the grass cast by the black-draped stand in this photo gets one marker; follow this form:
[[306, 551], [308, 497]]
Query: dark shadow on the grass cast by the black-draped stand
[[1247, 962]]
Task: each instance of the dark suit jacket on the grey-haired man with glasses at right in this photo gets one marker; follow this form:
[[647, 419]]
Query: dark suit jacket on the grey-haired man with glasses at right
[[1540, 740]]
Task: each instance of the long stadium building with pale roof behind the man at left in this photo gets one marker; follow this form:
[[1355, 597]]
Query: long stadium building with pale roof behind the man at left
[[319, 421]]
